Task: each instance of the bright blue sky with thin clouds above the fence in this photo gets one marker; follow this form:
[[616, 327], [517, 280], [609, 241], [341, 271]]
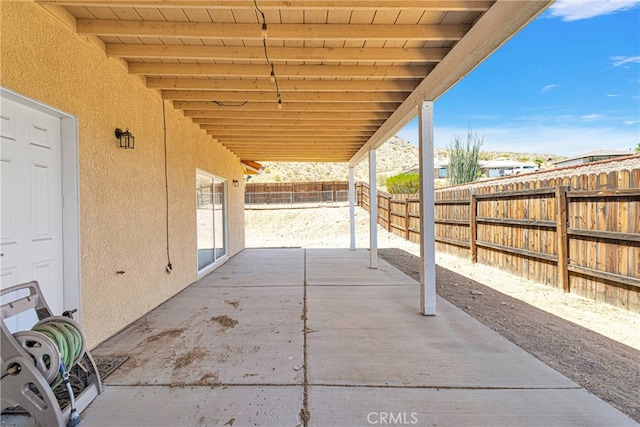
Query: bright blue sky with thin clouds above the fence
[[568, 83]]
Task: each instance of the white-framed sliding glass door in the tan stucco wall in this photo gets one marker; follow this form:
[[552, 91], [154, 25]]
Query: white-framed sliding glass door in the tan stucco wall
[[211, 207]]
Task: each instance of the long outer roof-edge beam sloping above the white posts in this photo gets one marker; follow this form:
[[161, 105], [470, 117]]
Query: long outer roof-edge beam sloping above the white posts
[[501, 22]]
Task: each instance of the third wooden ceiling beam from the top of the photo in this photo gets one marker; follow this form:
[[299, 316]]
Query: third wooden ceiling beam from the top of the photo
[[277, 54]]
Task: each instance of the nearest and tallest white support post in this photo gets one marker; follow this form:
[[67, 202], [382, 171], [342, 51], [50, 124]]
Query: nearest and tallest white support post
[[427, 214]]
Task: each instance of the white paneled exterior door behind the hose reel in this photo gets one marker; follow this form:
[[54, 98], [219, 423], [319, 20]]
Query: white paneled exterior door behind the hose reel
[[31, 192]]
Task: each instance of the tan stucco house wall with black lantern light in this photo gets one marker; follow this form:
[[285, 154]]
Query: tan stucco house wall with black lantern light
[[122, 192]]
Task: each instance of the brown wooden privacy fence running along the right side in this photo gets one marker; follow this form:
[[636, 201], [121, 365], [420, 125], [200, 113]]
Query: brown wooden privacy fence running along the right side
[[579, 233]]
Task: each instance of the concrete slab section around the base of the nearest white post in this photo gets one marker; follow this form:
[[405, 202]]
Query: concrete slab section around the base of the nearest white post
[[375, 336]]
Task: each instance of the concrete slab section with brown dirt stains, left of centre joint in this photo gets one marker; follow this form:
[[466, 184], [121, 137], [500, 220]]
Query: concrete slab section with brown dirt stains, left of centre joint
[[208, 336]]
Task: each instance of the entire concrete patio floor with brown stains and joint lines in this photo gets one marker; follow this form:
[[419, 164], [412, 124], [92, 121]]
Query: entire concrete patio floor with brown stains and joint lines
[[291, 336]]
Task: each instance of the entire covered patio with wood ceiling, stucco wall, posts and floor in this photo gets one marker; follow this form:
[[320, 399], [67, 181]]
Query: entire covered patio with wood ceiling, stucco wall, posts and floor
[[255, 337]]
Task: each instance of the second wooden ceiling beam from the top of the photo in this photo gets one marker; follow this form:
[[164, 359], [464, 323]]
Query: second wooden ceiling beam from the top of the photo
[[229, 31]]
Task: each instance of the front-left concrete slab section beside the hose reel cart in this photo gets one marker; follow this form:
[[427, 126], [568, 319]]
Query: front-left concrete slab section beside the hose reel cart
[[195, 406]]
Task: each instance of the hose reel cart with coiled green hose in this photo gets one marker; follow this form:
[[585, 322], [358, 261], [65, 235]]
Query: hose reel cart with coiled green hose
[[41, 367]]
